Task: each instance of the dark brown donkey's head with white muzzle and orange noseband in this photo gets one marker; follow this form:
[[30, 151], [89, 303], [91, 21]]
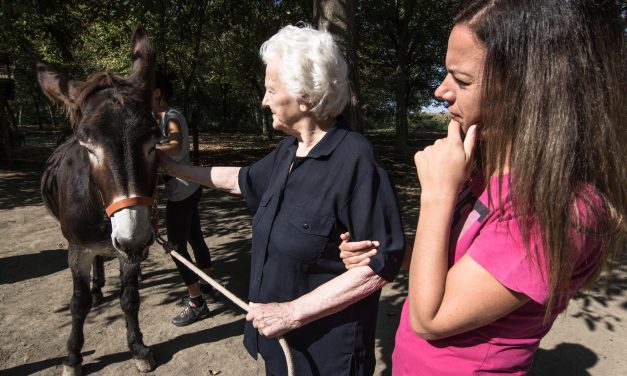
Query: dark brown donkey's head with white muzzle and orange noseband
[[112, 120]]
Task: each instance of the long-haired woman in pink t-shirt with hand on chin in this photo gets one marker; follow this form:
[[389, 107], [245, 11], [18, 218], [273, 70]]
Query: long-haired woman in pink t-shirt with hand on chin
[[524, 201]]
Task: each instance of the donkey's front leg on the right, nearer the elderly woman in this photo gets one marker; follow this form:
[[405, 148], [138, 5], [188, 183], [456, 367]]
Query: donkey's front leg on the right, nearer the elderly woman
[[129, 300]]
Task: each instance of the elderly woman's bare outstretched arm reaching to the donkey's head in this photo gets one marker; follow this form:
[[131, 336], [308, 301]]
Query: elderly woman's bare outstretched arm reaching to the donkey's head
[[224, 178]]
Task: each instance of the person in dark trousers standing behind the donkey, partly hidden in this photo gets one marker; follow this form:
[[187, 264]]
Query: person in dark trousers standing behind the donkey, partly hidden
[[182, 219]]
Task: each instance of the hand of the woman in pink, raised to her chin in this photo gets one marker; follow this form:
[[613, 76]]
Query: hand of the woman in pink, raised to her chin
[[444, 166]]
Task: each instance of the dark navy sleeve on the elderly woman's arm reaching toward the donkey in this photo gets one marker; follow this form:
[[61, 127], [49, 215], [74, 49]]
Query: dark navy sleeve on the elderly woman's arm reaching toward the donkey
[[254, 180]]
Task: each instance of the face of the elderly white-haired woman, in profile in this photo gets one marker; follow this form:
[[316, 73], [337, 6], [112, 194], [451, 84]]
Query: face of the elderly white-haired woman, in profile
[[286, 110]]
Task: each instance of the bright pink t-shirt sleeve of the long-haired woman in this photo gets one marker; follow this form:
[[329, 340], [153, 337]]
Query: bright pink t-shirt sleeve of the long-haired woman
[[500, 251]]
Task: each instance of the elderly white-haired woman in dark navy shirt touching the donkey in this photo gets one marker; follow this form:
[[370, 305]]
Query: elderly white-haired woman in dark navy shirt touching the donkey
[[318, 183]]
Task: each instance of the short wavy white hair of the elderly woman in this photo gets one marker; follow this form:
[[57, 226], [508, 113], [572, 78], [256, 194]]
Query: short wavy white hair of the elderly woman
[[312, 68]]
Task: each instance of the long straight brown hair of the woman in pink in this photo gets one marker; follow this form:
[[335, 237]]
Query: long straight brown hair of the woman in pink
[[553, 99]]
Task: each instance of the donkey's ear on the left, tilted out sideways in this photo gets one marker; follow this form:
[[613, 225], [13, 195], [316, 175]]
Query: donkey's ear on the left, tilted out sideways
[[58, 87]]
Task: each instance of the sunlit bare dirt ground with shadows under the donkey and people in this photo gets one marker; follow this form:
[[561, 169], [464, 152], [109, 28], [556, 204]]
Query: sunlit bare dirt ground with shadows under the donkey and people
[[35, 287]]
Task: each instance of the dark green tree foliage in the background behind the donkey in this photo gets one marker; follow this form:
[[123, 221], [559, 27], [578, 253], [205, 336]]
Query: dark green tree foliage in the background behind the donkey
[[212, 47]]
